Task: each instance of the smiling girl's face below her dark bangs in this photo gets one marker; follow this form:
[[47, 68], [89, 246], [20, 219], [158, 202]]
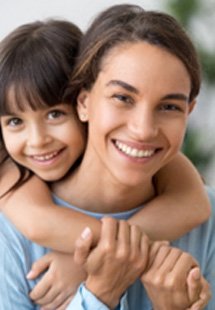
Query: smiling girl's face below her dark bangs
[[47, 141]]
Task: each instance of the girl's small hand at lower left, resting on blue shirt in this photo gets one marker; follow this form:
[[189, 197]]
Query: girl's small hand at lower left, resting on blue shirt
[[59, 283]]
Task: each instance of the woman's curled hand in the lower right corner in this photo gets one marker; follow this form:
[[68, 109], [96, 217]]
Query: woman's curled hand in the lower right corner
[[173, 280]]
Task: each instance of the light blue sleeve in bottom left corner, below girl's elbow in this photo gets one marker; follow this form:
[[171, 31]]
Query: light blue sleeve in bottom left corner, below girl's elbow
[[14, 287]]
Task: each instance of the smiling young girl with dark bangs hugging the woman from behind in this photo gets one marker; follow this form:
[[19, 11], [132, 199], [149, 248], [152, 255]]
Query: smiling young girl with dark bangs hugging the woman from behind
[[35, 94]]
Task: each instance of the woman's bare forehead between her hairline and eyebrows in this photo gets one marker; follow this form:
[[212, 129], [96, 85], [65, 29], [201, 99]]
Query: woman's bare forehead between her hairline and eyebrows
[[144, 64]]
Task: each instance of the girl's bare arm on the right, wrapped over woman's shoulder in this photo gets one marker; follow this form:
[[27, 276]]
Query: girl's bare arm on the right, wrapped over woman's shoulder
[[181, 204]]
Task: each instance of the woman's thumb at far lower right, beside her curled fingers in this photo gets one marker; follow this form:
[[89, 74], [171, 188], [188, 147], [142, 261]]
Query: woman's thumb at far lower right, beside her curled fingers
[[194, 285]]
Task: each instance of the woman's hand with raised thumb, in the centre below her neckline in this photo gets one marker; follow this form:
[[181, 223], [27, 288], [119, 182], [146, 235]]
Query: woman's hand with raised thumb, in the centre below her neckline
[[116, 262]]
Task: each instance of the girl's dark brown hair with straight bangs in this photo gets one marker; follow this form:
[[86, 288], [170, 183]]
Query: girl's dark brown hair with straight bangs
[[36, 60]]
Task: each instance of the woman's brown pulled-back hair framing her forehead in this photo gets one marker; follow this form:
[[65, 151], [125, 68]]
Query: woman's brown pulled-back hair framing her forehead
[[130, 23]]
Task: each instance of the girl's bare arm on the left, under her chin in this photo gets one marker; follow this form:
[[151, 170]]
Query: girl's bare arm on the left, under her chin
[[31, 209]]
